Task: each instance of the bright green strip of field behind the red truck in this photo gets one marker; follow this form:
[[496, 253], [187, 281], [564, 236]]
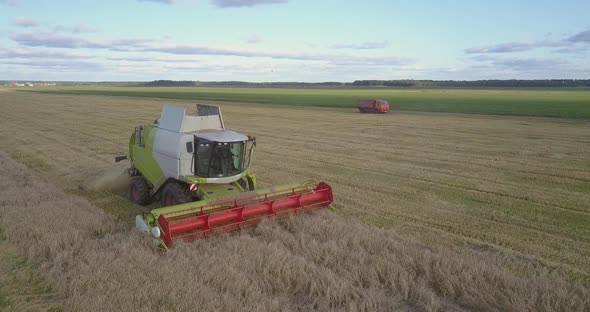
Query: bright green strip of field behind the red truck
[[563, 103]]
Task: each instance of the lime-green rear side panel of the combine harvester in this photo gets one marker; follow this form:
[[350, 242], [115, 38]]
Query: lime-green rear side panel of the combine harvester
[[143, 158]]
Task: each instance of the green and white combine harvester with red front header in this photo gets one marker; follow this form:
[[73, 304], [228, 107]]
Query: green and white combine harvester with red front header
[[200, 173]]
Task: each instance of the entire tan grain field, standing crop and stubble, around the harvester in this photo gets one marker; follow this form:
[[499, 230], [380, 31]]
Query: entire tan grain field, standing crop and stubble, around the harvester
[[433, 212]]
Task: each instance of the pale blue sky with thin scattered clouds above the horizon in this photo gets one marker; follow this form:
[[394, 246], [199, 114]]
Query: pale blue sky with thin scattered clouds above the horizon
[[293, 40]]
